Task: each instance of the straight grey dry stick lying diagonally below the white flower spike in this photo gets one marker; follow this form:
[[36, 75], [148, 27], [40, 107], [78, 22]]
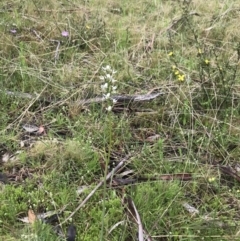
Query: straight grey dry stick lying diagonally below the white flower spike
[[121, 163]]
